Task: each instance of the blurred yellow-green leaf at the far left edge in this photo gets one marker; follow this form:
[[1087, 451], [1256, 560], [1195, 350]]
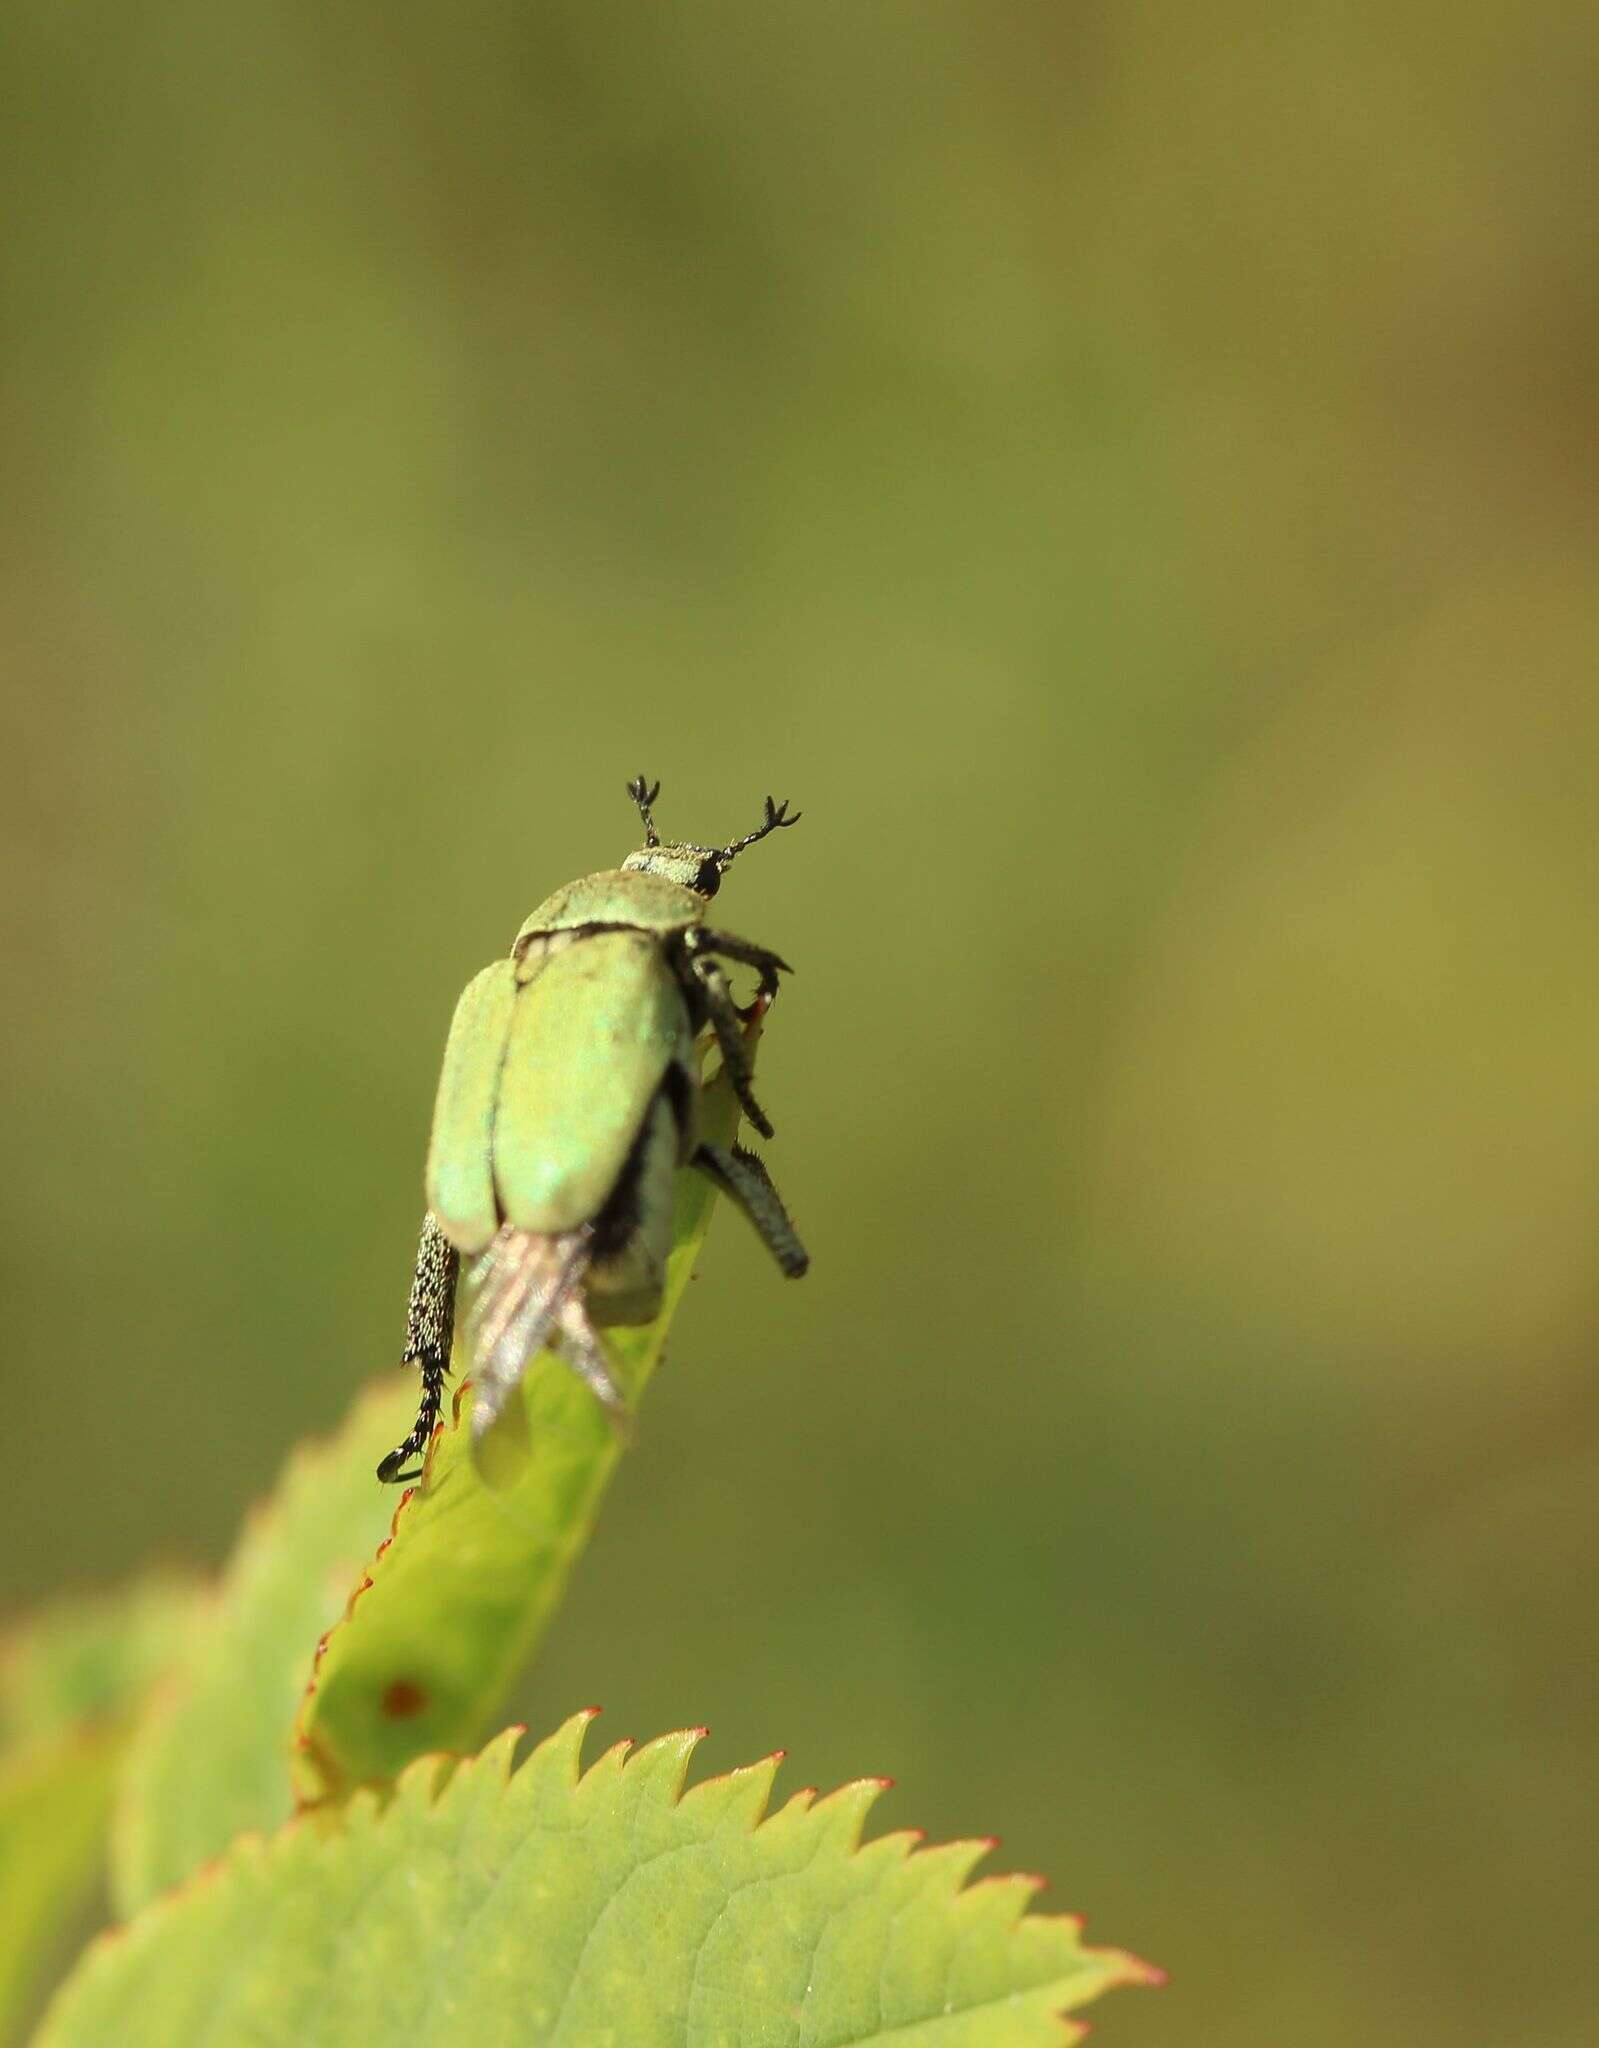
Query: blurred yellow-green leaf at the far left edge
[[69, 1684]]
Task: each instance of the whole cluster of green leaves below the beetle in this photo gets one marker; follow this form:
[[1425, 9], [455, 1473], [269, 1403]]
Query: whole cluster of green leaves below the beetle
[[419, 1897]]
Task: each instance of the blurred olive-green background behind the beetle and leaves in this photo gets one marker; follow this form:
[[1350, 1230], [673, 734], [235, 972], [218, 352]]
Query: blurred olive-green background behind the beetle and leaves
[[1127, 474]]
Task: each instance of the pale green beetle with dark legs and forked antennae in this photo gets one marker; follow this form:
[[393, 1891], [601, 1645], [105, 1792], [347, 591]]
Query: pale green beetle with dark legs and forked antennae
[[566, 1105]]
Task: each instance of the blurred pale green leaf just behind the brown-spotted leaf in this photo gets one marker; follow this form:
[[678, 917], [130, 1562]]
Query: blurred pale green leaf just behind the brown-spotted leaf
[[212, 1756]]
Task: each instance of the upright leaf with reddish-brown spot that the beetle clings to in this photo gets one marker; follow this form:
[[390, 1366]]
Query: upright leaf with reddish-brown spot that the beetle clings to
[[453, 1607]]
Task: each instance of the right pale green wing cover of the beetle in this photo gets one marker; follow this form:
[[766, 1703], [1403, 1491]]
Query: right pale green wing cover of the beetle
[[593, 1033]]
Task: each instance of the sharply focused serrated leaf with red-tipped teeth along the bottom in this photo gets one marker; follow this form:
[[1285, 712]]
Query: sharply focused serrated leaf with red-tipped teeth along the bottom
[[603, 1912]]
